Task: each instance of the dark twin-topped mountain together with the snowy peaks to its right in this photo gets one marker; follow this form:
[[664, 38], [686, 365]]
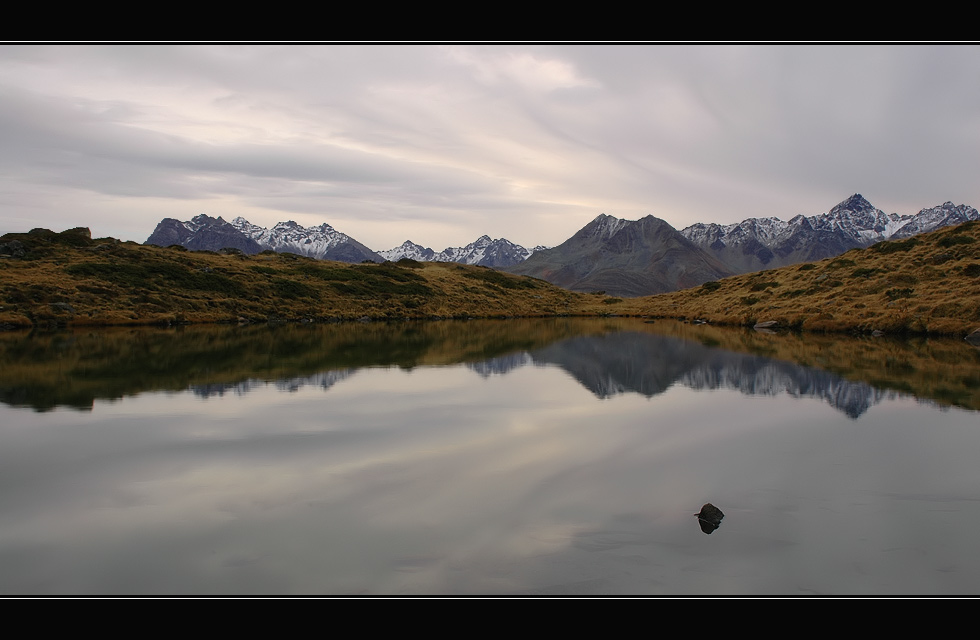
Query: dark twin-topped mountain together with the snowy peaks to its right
[[648, 256]]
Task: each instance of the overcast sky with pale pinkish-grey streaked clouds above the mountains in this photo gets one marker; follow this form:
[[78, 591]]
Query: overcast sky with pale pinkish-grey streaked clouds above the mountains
[[441, 144]]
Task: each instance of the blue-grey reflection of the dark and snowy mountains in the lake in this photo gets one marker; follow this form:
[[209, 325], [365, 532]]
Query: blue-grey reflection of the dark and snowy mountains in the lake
[[650, 364]]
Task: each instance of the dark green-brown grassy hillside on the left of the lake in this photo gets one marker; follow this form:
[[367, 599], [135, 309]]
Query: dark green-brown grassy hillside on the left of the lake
[[67, 278]]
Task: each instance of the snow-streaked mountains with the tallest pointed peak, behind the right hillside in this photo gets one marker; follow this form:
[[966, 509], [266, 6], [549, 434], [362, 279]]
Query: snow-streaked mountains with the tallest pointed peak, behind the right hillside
[[767, 243]]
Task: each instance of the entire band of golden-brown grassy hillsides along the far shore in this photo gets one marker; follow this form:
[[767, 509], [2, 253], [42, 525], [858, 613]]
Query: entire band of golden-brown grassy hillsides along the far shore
[[926, 284]]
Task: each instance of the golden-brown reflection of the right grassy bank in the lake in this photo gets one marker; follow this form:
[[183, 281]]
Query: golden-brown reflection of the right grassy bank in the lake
[[944, 370]]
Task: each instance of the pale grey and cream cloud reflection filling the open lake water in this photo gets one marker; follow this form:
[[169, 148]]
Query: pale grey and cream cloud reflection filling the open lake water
[[505, 486]]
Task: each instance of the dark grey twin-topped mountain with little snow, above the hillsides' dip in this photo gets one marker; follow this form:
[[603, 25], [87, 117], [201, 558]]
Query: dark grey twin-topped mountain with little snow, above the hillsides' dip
[[625, 258]]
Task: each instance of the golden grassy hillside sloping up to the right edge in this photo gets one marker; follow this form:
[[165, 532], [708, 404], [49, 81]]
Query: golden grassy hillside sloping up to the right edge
[[926, 284]]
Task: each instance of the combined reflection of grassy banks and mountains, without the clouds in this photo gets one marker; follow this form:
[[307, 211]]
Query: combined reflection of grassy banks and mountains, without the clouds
[[608, 356]]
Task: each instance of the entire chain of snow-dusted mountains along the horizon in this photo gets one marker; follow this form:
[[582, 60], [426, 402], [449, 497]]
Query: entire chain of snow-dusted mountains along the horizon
[[626, 258]]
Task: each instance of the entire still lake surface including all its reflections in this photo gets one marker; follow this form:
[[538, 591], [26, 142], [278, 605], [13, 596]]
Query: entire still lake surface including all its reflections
[[512, 457]]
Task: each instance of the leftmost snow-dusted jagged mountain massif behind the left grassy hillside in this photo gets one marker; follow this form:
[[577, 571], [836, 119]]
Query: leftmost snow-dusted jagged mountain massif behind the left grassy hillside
[[206, 233]]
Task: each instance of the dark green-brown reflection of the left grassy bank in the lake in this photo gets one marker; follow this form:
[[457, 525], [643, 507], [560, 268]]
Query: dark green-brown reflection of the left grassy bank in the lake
[[73, 368]]
